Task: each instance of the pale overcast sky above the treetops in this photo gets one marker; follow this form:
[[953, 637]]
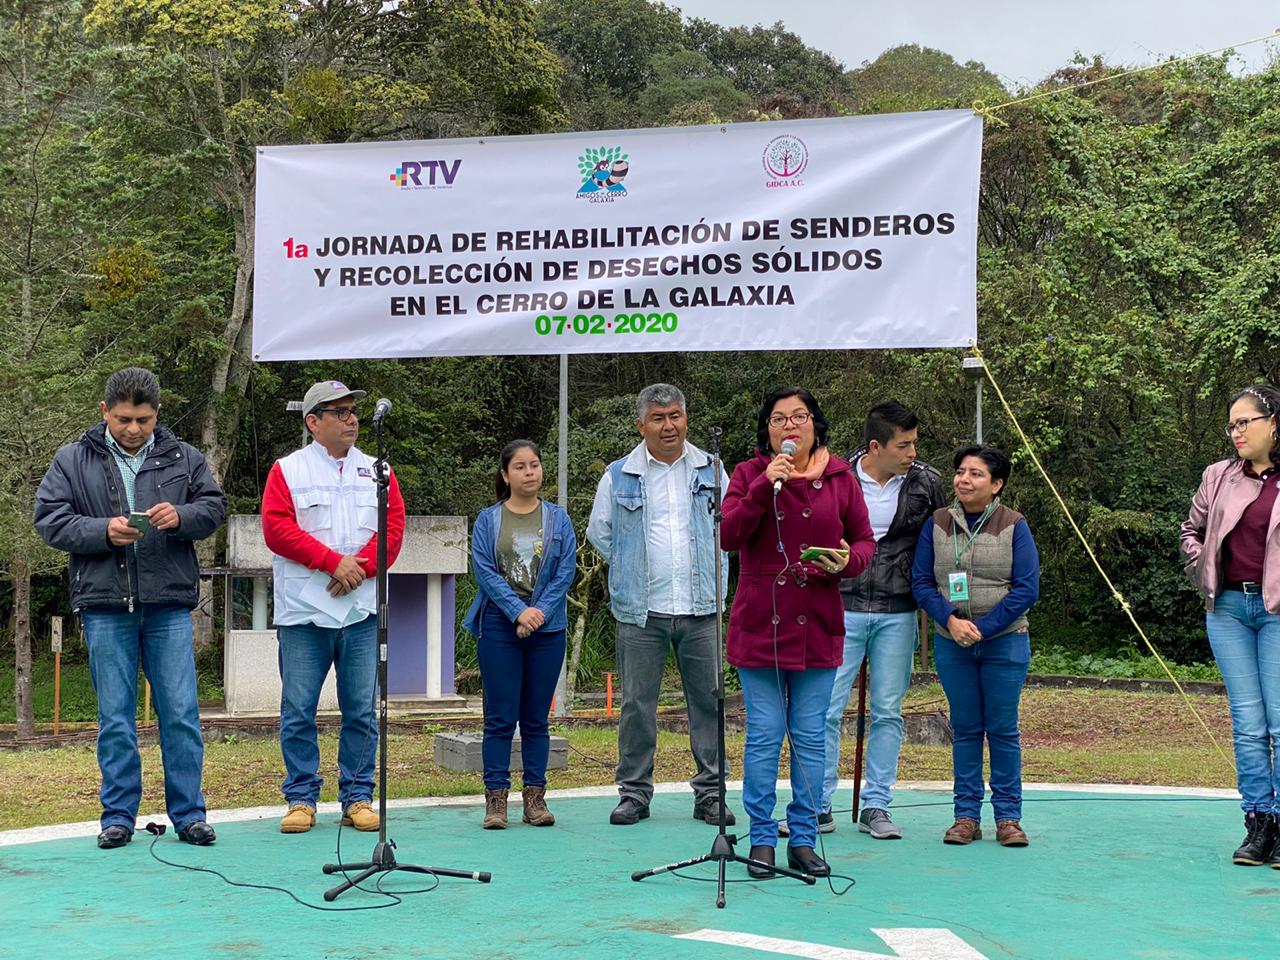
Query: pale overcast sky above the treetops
[[1020, 42]]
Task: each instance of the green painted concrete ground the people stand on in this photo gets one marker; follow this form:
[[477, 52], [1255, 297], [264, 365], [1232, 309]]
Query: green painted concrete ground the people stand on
[[1104, 880]]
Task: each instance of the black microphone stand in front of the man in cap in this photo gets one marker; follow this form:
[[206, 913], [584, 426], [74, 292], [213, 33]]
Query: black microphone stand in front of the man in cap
[[385, 852]]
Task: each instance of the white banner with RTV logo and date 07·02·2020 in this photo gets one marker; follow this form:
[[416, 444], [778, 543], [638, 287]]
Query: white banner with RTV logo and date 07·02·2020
[[801, 235]]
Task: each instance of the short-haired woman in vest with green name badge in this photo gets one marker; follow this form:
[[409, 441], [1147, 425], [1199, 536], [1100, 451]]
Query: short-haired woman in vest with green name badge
[[977, 574]]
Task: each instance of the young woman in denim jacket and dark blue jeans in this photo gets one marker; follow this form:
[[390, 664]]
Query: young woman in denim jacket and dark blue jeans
[[524, 555]]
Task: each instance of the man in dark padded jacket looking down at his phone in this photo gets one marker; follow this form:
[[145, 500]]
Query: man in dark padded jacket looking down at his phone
[[127, 502]]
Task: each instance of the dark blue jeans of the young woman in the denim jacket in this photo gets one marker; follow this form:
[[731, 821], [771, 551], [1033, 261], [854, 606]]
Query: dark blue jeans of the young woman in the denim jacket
[[519, 678]]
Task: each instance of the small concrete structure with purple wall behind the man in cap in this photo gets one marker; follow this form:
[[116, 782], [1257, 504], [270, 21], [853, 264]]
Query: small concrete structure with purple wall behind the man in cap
[[420, 630]]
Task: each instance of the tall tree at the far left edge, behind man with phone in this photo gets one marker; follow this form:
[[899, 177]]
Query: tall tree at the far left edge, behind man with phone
[[51, 350]]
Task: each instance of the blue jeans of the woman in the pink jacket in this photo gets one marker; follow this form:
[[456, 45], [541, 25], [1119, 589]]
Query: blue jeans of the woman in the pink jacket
[[1246, 642]]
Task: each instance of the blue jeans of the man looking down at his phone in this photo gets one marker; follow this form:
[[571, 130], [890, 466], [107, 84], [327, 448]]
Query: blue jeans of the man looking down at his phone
[[161, 637]]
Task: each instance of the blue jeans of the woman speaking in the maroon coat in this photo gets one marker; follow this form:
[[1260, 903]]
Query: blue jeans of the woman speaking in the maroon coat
[[798, 710]]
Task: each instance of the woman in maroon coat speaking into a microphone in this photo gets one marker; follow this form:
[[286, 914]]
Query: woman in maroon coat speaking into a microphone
[[787, 633]]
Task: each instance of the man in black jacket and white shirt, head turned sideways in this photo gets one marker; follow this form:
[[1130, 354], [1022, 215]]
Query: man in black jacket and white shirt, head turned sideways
[[880, 612]]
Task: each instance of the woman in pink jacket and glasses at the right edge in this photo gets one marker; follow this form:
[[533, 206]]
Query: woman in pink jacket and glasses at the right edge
[[1232, 547]]
